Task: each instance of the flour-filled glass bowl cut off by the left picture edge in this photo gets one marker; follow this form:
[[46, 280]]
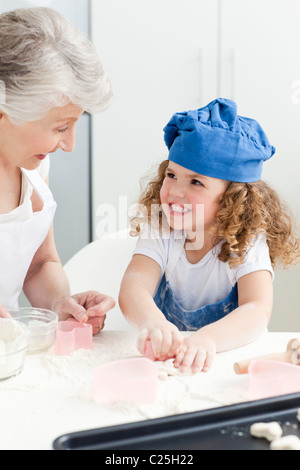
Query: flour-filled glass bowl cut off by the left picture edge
[[14, 340]]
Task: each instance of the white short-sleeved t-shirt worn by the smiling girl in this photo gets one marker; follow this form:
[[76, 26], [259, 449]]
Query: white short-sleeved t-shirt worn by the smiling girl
[[210, 280]]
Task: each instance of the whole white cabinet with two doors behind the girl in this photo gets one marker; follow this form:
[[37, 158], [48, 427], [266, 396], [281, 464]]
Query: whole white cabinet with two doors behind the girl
[[165, 56]]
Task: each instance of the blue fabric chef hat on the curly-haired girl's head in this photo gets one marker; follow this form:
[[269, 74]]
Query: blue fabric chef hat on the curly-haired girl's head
[[215, 141]]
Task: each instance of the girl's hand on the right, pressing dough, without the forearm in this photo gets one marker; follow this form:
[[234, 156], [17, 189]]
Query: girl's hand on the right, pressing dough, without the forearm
[[196, 353]]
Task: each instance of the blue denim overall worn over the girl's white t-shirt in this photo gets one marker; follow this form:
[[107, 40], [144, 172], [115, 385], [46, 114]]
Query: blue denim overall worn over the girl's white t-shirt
[[189, 320]]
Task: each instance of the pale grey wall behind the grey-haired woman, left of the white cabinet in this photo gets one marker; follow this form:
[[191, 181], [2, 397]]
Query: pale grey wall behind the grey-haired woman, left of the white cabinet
[[69, 179]]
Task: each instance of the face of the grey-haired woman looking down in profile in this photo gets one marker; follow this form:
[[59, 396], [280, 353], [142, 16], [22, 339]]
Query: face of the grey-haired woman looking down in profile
[[27, 144]]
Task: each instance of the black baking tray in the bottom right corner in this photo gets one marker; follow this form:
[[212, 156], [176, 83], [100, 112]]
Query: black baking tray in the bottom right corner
[[223, 428]]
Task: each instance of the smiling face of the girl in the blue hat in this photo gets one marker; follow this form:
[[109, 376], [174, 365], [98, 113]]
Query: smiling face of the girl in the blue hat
[[190, 201]]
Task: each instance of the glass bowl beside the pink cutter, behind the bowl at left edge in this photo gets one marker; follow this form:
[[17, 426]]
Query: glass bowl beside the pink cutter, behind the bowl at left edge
[[42, 325]]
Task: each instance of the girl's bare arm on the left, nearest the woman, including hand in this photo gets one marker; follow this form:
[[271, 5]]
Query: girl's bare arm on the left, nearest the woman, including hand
[[136, 302]]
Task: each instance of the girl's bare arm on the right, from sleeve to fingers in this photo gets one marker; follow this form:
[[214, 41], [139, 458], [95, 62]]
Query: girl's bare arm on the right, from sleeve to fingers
[[240, 327]]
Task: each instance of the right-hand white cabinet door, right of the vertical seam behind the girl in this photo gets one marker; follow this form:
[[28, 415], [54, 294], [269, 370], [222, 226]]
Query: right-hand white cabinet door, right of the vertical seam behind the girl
[[260, 68]]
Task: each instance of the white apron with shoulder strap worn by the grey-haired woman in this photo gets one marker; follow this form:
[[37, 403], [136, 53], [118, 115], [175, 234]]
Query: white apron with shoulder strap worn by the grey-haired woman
[[20, 240]]
